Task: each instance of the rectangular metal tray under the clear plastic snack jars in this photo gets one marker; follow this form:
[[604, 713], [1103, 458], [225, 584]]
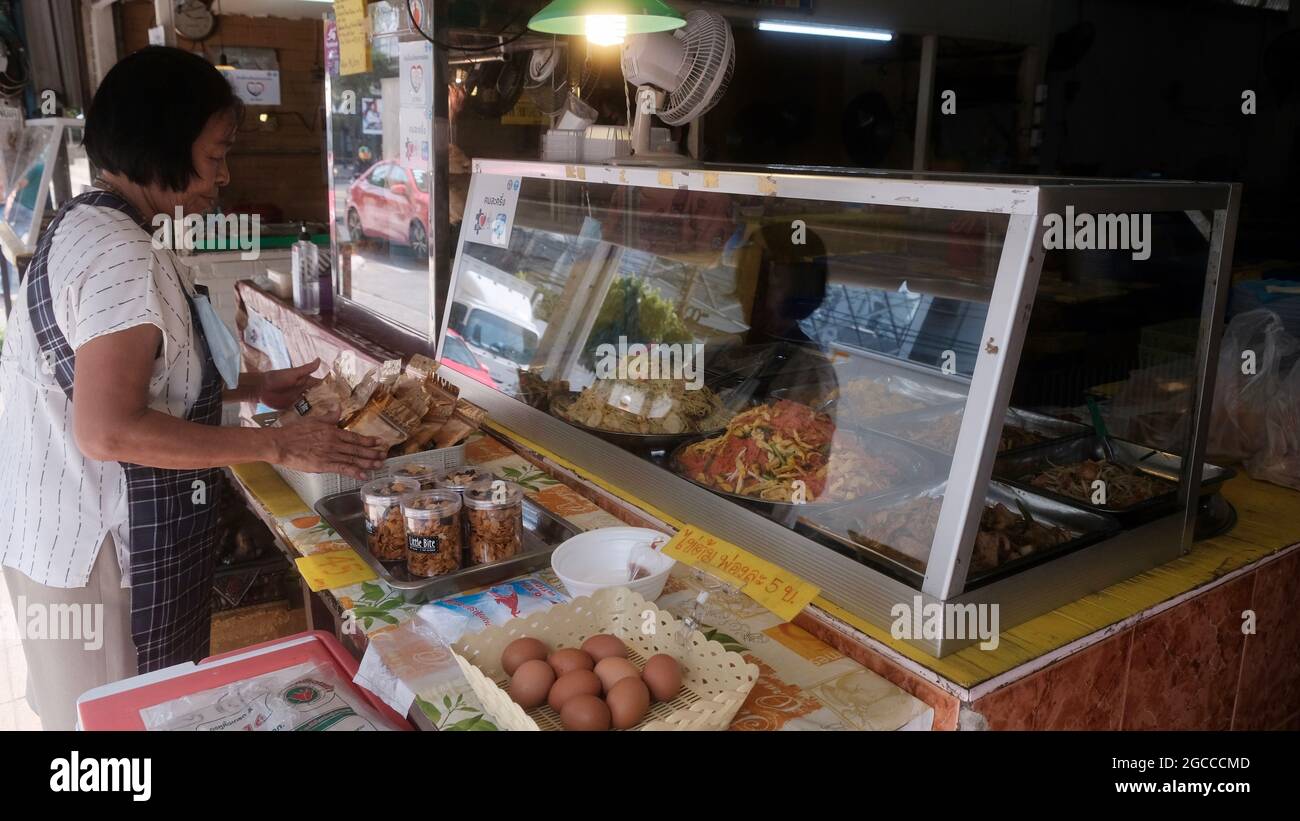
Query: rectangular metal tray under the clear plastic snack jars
[[543, 535]]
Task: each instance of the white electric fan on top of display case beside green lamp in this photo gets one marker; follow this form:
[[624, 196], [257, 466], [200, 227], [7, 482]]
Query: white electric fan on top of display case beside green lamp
[[679, 76]]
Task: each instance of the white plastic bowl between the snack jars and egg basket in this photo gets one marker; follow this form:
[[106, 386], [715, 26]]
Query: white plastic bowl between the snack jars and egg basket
[[599, 559]]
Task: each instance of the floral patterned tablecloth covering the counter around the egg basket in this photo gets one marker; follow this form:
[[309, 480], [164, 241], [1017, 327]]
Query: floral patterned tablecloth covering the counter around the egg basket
[[804, 684]]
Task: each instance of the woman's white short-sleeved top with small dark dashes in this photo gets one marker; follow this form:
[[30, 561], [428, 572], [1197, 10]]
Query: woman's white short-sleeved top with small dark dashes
[[57, 506]]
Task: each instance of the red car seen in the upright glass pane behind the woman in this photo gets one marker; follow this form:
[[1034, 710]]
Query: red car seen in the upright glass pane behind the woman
[[391, 202]]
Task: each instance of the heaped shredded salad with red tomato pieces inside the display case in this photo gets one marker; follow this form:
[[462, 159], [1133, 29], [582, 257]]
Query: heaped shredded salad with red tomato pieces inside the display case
[[769, 449]]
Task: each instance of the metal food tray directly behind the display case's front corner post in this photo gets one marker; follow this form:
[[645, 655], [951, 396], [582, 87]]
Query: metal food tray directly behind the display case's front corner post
[[834, 528]]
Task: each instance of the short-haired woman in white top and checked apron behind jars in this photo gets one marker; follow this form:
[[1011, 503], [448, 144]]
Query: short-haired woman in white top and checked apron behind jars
[[110, 428]]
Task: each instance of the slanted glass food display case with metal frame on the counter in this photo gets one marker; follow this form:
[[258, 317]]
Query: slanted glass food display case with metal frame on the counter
[[964, 390]]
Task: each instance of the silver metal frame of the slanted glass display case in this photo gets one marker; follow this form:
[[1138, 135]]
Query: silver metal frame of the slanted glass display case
[[859, 589]]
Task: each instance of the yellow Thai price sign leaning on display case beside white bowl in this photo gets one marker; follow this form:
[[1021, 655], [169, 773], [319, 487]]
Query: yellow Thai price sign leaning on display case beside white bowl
[[777, 589]]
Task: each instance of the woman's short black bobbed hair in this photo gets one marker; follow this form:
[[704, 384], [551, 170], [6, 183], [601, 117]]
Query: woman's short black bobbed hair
[[150, 110]]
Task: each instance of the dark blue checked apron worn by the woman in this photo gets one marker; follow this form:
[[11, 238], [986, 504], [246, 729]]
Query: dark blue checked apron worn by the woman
[[174, 514]]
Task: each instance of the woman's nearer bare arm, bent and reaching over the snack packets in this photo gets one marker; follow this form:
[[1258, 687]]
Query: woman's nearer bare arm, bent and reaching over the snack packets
[[114, 423]]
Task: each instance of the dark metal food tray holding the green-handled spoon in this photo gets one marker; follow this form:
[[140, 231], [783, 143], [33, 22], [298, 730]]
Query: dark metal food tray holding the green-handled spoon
[[1020, 467]]
